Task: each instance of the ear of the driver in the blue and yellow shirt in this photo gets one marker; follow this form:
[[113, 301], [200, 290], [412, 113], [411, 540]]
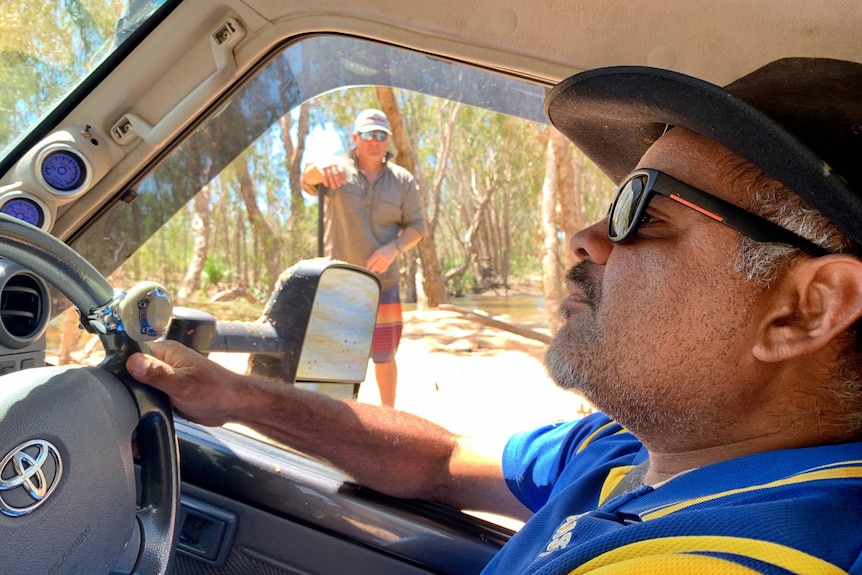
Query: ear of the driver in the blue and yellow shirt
[[809, 306]]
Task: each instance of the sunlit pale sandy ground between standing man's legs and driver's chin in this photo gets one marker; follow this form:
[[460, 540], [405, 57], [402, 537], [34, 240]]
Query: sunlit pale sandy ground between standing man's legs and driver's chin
[[468, 376]]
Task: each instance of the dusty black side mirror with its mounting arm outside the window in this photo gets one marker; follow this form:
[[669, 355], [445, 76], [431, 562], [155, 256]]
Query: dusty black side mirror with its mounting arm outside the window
[[316, 328]]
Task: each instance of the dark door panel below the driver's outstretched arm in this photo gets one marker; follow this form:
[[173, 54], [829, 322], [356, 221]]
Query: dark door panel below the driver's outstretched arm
[[296, 515]]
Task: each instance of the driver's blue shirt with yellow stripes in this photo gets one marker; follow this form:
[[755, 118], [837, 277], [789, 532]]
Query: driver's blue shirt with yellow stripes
[[773, 513]]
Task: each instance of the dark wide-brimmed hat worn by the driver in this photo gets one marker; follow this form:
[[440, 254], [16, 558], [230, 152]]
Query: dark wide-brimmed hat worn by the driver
[[797, 119]]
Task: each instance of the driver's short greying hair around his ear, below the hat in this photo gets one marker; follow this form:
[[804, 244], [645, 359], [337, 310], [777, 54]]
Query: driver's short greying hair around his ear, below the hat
[[762, 263]]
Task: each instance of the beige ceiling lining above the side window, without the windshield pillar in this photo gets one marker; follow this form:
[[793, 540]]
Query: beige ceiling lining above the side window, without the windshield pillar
[[716, 40]]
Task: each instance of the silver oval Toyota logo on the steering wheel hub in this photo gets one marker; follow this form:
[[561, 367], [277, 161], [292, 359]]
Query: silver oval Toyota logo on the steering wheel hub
[[28, 476]]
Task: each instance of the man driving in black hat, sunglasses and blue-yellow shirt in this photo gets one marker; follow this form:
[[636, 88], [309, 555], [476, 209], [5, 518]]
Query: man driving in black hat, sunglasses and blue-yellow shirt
[[711, 318]]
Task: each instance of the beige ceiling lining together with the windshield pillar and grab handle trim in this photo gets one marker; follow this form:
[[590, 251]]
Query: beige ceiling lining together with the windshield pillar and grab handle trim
[[172, 78]]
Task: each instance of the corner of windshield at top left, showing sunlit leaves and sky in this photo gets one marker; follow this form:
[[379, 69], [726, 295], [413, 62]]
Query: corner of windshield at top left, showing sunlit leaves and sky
[[49, 47]]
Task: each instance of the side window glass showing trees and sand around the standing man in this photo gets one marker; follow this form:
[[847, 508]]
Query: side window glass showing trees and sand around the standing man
[[224, 214]]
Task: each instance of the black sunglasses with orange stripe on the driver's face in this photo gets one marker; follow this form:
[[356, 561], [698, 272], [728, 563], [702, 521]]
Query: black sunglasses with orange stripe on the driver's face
[[638, 189]]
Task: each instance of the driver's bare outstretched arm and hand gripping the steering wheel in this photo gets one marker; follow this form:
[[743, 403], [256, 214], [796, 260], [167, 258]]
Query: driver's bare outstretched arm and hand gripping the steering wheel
[[392, 451]]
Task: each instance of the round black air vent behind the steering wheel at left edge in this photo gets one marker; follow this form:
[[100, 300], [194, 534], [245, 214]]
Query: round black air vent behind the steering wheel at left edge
[[24, 309]]
